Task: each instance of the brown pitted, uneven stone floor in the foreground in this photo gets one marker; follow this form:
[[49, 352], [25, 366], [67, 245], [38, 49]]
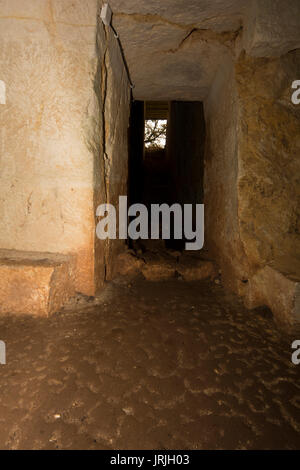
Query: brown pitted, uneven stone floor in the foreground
[[170, 365]]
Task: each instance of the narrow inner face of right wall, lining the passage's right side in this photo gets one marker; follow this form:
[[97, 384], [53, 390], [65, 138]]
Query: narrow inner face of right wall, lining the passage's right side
[[222, 234]]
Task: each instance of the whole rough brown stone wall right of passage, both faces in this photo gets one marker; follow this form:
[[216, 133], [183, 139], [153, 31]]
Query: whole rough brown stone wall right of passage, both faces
[[252, 170]]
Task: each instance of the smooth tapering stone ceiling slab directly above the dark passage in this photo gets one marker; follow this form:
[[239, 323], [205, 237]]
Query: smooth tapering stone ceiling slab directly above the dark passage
[[173, 47]]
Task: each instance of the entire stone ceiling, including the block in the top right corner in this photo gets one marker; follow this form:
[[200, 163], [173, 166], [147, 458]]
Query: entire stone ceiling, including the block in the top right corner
[[174, 47]]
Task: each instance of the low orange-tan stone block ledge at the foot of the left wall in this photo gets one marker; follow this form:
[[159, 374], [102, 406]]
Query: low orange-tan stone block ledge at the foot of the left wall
[[35, 284]]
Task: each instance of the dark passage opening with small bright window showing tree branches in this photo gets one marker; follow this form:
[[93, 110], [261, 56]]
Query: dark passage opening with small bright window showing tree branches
[[166, 157]]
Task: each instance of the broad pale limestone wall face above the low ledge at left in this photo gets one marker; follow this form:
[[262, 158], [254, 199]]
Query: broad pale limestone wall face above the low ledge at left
[[51, 141]]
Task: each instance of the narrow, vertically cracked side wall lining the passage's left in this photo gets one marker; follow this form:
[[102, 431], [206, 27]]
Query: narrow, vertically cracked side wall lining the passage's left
[[109, 143]]
